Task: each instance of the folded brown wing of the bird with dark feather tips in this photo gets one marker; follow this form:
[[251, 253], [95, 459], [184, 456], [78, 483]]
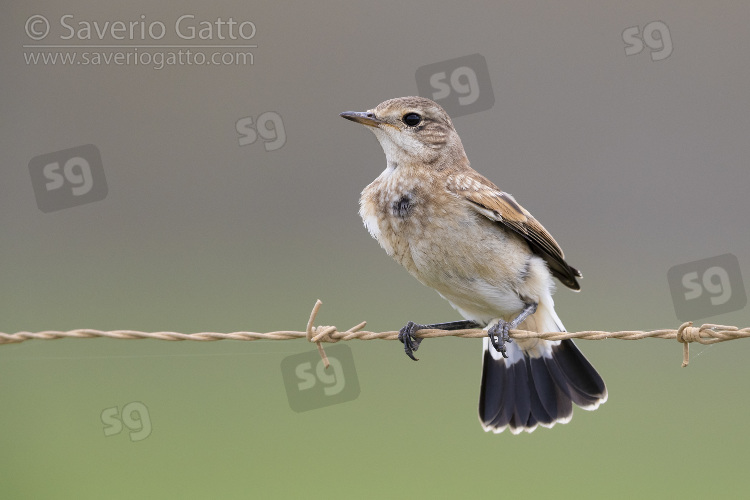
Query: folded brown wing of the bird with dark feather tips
[[496, 205]]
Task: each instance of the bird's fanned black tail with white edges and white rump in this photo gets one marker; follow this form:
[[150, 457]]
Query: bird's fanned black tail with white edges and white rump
[[538, 383]]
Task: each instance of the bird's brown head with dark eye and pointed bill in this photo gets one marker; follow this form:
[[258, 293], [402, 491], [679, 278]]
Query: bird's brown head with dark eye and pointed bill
[[412, 130]]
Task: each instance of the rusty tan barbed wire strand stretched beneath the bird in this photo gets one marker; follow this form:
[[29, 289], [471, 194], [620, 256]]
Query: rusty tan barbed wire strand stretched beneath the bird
[[706, 334]]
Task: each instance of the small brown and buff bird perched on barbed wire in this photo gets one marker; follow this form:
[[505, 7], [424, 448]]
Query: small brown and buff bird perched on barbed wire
[[458, 233]]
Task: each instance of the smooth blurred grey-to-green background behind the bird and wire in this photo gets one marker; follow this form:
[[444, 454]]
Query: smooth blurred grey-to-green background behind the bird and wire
[[634, 165]]
